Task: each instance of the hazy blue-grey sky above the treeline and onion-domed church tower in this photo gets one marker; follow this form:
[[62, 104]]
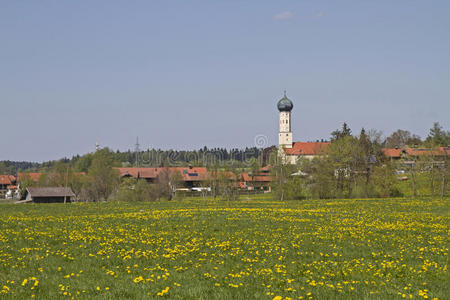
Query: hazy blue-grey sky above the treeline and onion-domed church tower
[[184, 74]]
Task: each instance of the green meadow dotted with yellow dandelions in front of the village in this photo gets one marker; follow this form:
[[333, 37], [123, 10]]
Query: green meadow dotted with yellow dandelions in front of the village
[[335, 249]]
